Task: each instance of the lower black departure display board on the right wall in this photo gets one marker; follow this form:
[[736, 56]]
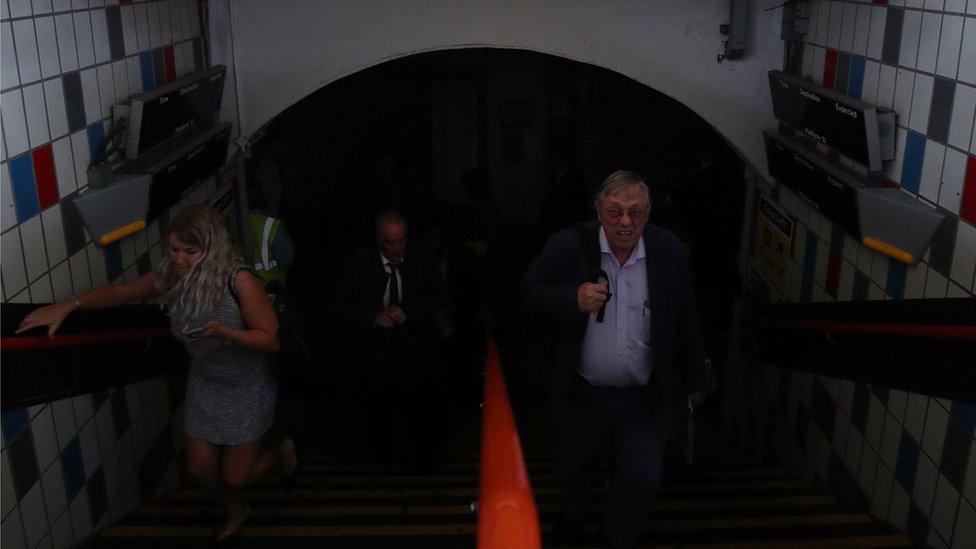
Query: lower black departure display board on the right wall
[[832, 192]]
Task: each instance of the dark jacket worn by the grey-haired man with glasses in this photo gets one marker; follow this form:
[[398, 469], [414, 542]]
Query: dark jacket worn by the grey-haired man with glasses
[[550, 287]]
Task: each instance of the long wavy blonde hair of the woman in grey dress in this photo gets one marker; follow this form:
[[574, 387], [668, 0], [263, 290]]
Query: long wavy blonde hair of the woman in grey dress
[[198, 290]]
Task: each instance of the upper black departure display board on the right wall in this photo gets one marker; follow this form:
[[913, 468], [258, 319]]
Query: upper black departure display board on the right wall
[[841, 123]]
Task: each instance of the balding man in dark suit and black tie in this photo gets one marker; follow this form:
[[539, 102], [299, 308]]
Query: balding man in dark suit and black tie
[[385, 299]]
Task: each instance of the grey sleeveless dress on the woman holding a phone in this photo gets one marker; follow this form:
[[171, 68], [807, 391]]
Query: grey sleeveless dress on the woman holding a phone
[[230, 390]]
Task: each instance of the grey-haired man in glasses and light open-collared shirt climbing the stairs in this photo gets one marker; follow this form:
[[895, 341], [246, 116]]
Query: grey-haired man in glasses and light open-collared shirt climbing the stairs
[[621, 296]]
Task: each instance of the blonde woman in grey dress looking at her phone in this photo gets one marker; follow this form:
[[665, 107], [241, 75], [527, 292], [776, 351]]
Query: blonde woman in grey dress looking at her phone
[[231, 390]]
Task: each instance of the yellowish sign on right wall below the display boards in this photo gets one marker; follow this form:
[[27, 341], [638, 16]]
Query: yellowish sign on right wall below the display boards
[[774, 239]]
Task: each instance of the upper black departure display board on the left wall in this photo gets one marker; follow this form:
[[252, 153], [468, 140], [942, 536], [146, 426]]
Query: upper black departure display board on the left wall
[[159, 115]]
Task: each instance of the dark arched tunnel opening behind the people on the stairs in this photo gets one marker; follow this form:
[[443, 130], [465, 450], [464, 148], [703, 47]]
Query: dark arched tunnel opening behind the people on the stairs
[[487, 151]]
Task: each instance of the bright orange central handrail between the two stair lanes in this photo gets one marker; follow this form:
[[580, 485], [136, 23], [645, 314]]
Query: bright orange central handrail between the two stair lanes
[[507, 515]]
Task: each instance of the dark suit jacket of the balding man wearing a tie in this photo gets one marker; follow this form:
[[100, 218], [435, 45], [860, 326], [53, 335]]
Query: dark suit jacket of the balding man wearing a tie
[[359, 290]]
